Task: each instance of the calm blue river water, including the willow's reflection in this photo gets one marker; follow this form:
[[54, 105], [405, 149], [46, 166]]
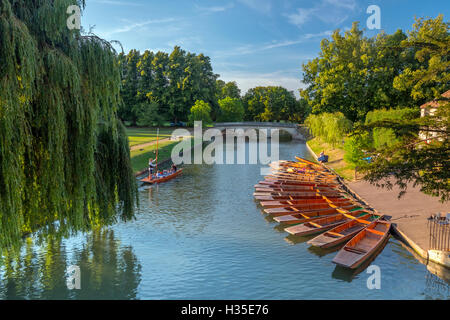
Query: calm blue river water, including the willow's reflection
[[202, 236]]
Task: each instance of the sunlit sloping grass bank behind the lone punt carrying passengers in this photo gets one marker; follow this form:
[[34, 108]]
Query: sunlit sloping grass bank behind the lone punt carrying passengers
[[139, 158]]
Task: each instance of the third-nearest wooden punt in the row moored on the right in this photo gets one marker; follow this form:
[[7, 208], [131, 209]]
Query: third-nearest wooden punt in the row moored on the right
[[319, 225]]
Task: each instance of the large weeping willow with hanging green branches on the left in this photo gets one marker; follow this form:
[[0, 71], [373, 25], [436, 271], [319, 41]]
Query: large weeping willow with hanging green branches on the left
[[64, 157]]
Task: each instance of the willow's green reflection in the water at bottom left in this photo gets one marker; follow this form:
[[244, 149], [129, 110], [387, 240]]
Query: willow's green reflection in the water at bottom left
[[108, 270]]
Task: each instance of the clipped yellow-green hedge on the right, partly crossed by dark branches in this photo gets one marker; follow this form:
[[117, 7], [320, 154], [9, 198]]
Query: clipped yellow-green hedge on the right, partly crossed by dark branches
[[386, 137]]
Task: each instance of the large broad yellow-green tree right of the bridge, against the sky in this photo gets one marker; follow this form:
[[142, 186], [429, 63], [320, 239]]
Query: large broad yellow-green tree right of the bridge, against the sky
[[354, 74]]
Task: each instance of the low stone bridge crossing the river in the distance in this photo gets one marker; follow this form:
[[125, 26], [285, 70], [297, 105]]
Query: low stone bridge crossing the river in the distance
[[296, 131]]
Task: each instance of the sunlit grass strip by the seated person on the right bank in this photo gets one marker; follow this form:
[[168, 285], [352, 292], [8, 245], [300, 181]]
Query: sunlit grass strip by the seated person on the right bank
[[335, 158]]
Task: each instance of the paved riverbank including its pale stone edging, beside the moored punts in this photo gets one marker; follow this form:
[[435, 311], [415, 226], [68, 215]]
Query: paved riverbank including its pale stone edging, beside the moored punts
[[408, 214]]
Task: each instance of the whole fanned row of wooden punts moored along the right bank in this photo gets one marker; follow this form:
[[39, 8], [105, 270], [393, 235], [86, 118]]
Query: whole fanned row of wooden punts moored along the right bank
[[306, 199]]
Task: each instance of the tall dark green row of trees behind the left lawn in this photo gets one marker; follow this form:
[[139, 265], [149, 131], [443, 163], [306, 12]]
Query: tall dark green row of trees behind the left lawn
[[159, 86]]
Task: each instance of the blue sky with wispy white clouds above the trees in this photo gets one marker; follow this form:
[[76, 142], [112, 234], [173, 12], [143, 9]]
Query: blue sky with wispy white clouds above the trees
[[252, 42]]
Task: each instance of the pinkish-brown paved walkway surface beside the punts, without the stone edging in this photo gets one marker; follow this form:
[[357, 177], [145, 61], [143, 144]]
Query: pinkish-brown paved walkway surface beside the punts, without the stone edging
[[410, 213]]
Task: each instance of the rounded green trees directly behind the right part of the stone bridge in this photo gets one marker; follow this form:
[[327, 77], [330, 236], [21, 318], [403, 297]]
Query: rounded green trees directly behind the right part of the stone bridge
[[272, 104]]
